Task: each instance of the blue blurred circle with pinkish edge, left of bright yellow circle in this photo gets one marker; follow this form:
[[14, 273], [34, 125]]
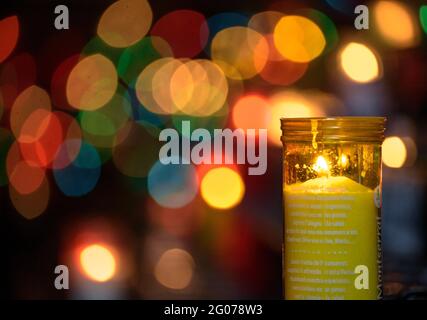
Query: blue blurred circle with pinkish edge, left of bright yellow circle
[[174, 185]]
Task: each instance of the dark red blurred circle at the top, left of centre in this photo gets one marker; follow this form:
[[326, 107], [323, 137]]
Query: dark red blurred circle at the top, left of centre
[[186, 31]]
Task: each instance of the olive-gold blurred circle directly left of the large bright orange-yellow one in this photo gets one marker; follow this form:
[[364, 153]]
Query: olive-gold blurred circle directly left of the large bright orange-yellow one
[[241, 52]]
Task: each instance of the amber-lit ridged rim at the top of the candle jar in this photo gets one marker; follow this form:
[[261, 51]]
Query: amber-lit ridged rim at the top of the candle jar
[[334, 129]]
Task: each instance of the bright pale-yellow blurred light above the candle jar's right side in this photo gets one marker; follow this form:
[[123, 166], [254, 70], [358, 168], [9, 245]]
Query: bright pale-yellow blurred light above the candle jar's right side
[[359, 63]]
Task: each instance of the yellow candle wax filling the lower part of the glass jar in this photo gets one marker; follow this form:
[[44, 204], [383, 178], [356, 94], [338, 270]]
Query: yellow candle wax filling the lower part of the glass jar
[[331, 227]]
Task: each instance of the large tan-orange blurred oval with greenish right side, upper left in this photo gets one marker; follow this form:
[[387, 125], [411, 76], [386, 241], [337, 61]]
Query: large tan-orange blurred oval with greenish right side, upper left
[[92, 83]]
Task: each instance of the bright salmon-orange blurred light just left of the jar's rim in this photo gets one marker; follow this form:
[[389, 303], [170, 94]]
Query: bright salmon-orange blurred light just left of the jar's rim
[[252, 112]]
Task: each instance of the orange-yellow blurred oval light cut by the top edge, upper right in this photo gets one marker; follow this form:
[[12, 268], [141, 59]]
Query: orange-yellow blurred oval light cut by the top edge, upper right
[[396, 23]]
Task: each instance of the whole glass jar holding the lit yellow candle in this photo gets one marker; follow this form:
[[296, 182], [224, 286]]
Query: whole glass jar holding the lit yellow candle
[[332, 203]]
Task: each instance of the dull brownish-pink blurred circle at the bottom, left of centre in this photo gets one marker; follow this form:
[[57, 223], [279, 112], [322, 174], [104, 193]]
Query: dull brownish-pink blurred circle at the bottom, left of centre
[[175, 269]]
